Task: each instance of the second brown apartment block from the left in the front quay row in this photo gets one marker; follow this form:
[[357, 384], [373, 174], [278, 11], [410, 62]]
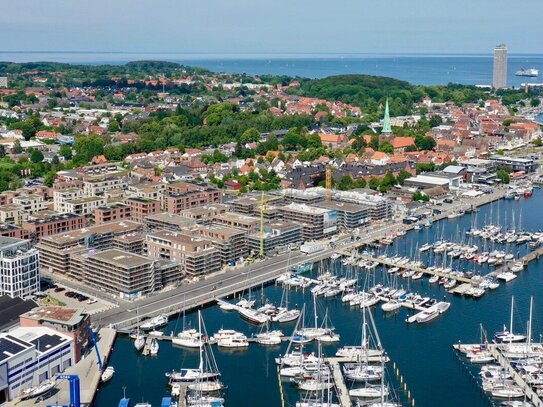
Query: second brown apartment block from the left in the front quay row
[[196, 256]]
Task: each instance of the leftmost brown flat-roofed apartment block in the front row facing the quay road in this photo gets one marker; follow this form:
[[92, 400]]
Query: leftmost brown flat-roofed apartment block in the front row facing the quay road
[[125, 274]]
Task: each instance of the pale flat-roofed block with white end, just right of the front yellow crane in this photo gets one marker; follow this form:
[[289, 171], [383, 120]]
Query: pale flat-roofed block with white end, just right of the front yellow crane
[[316, 222]]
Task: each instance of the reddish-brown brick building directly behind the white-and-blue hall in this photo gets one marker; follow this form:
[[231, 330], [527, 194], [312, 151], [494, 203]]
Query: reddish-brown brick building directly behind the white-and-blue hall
[[73, 322]]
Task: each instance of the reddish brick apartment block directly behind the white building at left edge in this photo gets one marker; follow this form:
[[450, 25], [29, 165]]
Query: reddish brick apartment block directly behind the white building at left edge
[[46, 225]]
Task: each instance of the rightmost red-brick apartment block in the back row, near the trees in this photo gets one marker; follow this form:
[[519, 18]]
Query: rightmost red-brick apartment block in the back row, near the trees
[[185, 195]]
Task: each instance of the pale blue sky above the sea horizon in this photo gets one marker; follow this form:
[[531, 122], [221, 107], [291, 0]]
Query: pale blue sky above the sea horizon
[[269, 27]]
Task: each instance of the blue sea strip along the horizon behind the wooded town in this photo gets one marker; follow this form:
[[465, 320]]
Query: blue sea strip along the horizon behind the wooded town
[[417, 69]]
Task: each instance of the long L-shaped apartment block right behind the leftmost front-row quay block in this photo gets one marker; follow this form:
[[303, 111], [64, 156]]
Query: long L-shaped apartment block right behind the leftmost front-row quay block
[[56, 250]]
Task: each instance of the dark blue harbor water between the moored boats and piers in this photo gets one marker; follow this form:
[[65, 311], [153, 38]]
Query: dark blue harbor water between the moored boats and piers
[[423, 353]]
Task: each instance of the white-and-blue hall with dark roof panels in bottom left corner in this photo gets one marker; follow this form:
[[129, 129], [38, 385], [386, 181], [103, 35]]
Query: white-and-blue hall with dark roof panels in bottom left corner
[[31, 355]]
